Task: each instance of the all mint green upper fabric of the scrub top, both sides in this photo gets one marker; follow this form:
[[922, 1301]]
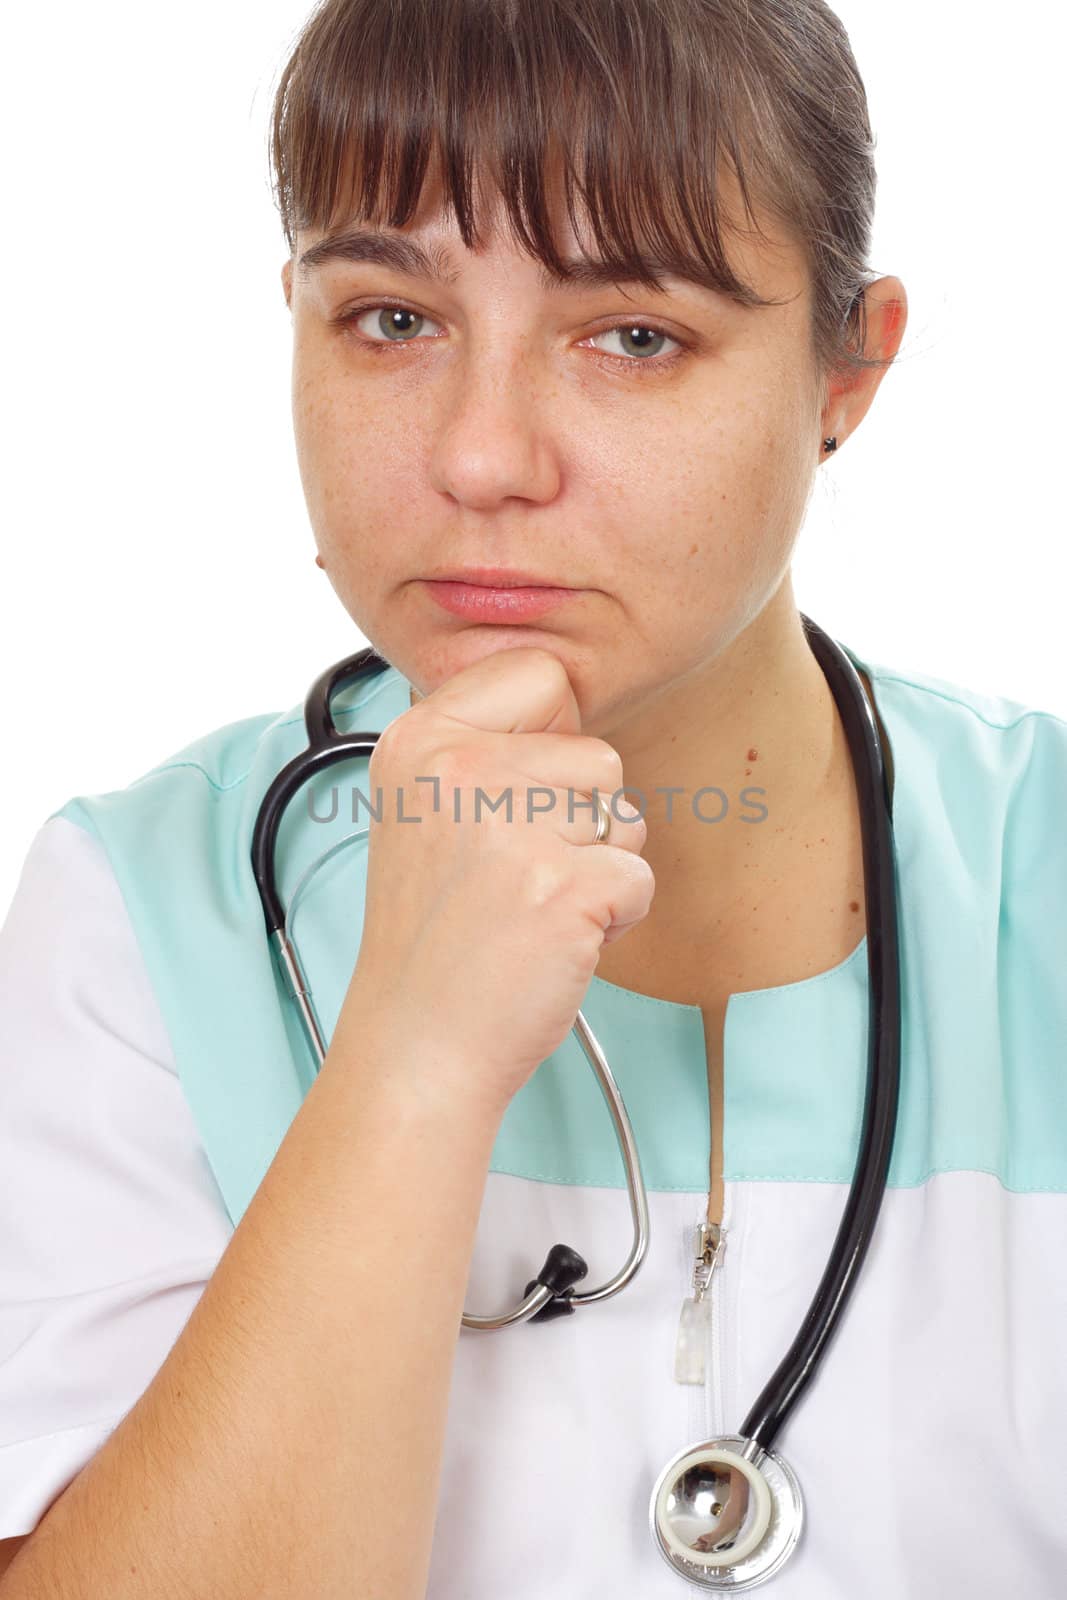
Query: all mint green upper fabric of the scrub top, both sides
[[980, 806]]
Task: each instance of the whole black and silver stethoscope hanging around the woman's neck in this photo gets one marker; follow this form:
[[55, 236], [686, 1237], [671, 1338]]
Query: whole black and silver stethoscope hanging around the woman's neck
[[727, 1513]]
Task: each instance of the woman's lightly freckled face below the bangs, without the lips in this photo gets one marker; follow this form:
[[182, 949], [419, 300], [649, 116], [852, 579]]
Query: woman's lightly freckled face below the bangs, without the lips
[[650, 452]]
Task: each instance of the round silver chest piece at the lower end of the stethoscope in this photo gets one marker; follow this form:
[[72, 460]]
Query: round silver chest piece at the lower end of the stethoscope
[[727, 1514]]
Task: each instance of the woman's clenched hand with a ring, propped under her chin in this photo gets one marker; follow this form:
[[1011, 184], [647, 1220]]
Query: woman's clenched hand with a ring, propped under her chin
[[481, 932]]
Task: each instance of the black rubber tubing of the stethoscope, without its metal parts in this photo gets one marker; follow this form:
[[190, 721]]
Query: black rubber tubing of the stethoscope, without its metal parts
[[327, 746]]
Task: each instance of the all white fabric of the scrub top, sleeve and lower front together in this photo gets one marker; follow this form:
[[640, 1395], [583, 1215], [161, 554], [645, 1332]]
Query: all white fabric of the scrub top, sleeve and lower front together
[[111, 1225]]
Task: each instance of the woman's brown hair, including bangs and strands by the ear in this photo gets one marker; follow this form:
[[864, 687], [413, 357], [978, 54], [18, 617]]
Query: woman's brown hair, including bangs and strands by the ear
[[641, 100]]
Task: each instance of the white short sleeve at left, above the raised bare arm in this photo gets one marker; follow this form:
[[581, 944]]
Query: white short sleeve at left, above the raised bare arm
[[111, 1220]]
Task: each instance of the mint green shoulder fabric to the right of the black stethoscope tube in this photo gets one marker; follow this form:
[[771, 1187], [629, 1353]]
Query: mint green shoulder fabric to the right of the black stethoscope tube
[[978, 806]]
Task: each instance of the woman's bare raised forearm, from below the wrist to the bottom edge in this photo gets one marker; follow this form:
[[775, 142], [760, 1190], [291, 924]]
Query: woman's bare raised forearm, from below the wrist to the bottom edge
[[268, 1457]]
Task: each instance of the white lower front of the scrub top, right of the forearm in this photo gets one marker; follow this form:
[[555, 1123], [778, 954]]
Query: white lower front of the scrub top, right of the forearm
[[929, 1446]]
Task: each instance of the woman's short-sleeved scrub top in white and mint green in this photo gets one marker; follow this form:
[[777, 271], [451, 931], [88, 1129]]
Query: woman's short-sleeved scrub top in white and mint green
[[151, 1065]]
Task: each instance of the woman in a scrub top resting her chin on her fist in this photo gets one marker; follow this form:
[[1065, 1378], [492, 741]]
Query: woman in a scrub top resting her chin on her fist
[[234, 1284]]
